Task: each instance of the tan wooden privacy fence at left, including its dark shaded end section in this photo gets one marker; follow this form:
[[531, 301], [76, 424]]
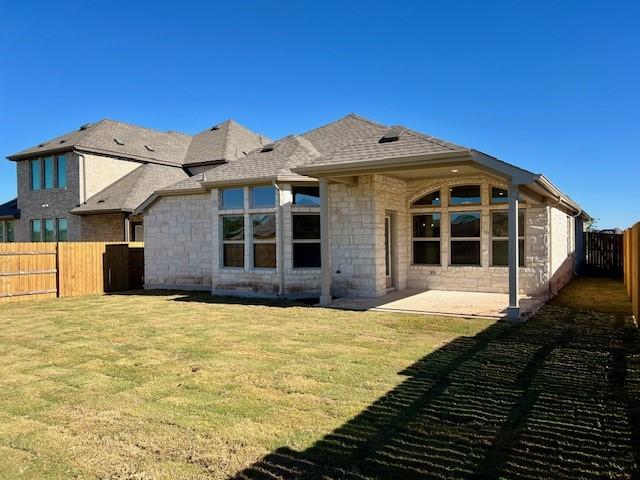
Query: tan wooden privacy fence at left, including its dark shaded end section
[[30, 271]]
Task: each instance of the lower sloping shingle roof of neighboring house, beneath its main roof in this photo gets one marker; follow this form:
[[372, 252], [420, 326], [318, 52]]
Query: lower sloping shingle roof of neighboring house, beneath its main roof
[[128, 193]]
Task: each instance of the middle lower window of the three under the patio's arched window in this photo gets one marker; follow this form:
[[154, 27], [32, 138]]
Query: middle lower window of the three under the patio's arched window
[[465, 238]]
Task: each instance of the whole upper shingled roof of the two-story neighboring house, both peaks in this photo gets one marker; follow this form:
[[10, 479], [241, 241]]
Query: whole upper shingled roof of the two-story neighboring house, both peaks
[[226, 142]]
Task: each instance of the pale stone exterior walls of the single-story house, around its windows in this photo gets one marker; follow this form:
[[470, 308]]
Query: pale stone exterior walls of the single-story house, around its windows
[[357, 242]]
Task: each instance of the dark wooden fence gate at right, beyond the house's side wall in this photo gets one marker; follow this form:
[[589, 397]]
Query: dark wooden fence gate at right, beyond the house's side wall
[[604, 254]]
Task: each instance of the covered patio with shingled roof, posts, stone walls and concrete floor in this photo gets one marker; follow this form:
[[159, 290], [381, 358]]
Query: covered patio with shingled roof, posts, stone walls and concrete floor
[[412, 174]]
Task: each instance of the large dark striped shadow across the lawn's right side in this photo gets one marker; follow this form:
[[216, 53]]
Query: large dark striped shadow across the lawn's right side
[[554, 398]]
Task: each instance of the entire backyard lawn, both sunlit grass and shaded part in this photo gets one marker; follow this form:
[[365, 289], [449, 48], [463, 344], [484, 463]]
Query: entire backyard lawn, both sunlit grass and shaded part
[[180, 386]]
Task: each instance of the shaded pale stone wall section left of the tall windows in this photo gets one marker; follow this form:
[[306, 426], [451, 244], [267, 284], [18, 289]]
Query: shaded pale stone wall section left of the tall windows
[[179, 243]]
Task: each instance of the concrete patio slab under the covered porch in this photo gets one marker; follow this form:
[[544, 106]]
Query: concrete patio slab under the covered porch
[[440, 302]]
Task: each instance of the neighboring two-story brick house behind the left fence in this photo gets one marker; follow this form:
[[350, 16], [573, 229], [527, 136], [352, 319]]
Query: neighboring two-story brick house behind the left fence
[[86, 184]]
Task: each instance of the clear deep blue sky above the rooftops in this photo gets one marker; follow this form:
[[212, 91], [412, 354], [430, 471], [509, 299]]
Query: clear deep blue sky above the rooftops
[[549, 86]]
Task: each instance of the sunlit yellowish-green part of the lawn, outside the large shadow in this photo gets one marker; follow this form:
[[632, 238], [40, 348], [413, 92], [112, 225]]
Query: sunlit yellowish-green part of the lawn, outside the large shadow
[[177, 386]]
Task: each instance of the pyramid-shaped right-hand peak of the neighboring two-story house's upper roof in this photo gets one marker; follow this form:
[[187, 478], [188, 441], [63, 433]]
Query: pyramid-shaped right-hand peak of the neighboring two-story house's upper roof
[[223, 143]]
